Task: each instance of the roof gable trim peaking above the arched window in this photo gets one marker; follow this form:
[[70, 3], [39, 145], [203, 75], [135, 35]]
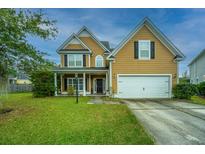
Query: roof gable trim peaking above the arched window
[[84, 31]]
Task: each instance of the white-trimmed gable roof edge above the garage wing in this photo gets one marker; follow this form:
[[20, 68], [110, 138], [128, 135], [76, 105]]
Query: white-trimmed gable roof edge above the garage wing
[[147, 22]]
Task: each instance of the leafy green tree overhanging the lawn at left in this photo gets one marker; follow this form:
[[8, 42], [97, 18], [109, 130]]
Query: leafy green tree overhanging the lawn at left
[[16, 53]]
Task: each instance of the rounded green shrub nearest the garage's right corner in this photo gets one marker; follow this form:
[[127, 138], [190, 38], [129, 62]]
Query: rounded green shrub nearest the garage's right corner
[[185, 91]]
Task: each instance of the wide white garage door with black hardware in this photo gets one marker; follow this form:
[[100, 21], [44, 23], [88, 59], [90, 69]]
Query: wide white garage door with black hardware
[[143, 86]]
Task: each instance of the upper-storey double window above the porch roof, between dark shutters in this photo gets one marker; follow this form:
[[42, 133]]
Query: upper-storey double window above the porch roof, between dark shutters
[[75, 60]]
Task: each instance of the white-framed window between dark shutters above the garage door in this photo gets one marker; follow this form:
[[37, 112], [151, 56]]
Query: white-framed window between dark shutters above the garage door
[[144, 49]]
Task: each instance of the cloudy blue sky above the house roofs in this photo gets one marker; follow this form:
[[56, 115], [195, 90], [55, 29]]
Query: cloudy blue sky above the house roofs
[[184, 27]]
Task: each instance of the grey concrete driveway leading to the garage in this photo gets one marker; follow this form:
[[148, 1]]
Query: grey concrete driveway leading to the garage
[[171, 122]]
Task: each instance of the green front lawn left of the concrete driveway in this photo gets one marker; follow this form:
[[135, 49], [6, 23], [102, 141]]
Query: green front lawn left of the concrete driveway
[[59, 120]]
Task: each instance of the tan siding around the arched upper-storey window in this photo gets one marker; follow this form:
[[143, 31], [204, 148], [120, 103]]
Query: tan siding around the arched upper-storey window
[[96, 49]]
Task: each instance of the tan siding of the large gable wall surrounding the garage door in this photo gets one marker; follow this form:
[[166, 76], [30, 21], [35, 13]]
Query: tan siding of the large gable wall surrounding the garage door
[[126, 64]]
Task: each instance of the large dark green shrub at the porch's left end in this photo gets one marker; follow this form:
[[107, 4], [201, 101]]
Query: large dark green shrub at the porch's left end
[[43, 83]]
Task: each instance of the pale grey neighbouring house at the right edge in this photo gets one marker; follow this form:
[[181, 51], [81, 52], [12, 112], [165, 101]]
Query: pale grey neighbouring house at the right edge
[[197, 68]]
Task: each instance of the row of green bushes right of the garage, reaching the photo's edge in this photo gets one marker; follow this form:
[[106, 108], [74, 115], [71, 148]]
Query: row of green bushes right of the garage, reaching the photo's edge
[[187, 90]]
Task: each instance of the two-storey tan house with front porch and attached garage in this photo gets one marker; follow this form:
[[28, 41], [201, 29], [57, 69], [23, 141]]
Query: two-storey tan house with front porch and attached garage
[[143, 65]]
